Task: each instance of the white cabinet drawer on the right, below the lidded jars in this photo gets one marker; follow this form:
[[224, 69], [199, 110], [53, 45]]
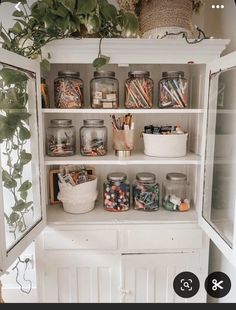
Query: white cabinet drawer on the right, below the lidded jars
[[164, 239]]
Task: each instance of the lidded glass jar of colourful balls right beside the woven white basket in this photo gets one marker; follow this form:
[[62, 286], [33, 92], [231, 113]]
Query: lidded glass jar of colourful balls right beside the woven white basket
[[116, 192]]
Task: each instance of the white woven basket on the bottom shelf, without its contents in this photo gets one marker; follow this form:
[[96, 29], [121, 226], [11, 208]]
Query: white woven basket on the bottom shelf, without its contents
[[79, 198]]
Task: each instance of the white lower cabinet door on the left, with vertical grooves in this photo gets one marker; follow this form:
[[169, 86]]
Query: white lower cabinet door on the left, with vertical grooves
[[80, 278]]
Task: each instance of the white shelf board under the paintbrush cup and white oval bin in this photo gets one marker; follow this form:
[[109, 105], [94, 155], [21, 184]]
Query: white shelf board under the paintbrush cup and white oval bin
[[111, 159]]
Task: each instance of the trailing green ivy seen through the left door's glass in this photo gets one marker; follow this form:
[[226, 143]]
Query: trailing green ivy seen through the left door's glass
[[14, 136]]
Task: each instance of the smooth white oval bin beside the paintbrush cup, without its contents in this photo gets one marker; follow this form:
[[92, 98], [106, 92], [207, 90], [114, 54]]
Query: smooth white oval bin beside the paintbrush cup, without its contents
[[173, 145]]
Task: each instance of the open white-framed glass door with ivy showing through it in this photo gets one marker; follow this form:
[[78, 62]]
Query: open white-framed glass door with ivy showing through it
[[22, 209]]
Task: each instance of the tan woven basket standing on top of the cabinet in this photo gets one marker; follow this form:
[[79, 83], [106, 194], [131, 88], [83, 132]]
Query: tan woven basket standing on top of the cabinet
[[159, 16]]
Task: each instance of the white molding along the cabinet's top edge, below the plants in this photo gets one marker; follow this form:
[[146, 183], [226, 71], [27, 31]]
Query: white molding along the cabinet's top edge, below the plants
[[134, 51]]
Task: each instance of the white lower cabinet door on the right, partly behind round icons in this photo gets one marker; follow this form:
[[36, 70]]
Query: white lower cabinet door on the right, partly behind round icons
[[148, 278]]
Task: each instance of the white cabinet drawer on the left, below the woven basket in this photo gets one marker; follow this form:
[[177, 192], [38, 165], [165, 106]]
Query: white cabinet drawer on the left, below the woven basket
[[83, 240]]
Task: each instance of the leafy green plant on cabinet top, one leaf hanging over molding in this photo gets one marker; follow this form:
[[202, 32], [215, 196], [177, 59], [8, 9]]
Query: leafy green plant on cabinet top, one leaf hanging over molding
[[48, 20]]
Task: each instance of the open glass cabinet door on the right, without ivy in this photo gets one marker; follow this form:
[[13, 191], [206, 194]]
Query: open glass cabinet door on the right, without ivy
[[218, 214]]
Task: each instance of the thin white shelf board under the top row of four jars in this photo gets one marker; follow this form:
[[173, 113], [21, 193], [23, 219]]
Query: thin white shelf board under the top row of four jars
[[122, 111]]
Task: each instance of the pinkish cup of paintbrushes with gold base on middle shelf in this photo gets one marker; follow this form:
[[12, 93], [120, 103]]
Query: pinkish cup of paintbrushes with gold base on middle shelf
[[123, 135]]
